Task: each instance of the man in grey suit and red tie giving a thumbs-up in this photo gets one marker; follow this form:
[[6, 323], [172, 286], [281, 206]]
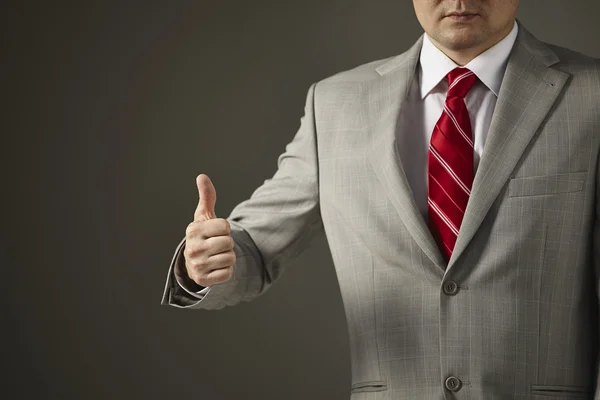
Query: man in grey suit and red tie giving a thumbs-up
[[455, 285]]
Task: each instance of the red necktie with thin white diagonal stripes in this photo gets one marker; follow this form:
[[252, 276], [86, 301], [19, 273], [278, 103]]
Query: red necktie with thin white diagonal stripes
[[450, 163]]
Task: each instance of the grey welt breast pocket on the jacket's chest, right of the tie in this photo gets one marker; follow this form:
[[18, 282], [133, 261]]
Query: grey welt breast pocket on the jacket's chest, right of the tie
[[547, 184]]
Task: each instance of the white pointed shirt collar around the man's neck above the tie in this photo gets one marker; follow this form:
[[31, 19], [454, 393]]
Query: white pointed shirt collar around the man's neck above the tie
[[489, 66]]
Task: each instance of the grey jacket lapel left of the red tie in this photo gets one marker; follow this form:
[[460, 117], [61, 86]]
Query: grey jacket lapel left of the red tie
[[382, 101]]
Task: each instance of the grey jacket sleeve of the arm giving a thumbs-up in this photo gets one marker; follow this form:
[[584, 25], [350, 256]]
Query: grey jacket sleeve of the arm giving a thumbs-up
[[274, 225]]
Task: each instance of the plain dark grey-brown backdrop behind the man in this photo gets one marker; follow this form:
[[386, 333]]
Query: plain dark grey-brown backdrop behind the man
[[110, 110]]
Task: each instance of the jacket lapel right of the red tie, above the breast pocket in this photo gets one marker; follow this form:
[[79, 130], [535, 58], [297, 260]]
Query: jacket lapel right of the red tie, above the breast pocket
[[529, 90]]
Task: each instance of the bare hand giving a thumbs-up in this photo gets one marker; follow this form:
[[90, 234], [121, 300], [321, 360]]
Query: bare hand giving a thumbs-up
[[209, 256]]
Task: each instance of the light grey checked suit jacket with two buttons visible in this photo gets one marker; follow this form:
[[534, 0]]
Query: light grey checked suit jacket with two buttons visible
[[514, 314]]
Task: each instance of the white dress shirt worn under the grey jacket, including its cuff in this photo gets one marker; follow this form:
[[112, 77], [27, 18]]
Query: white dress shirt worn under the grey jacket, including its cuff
[[424, 106]]
